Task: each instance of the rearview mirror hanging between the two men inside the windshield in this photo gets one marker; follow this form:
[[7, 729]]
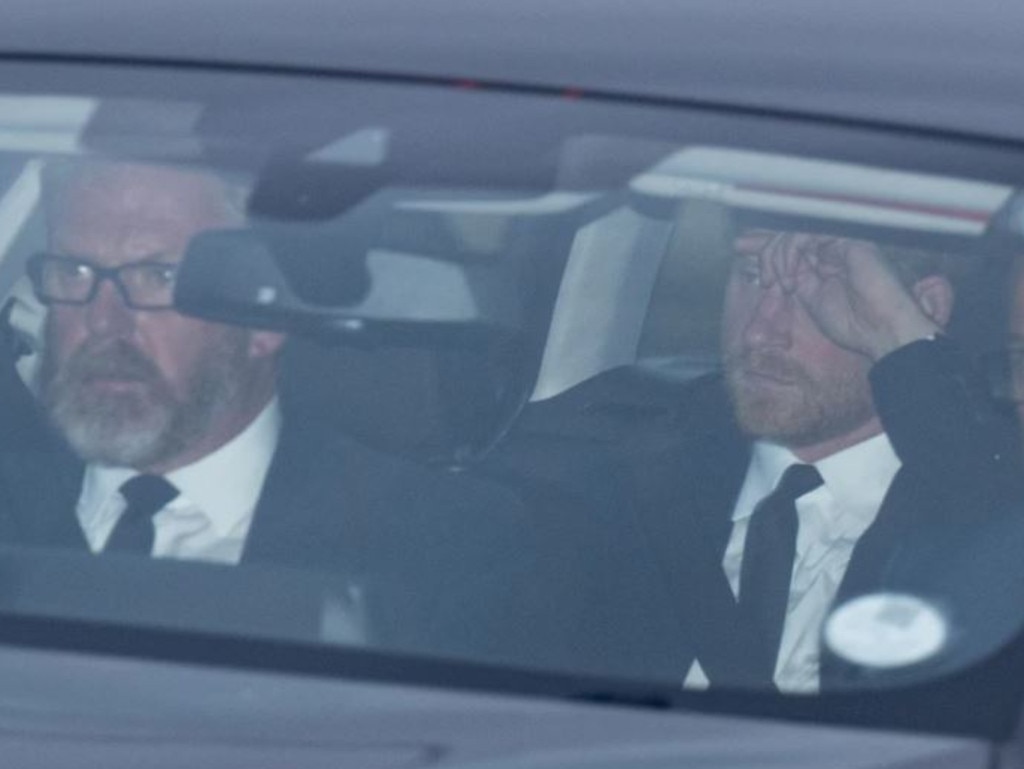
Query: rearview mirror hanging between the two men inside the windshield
[[313, 282]]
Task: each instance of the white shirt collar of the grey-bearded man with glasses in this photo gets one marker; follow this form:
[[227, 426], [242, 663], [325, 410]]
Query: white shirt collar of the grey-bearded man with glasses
[[225, 485]]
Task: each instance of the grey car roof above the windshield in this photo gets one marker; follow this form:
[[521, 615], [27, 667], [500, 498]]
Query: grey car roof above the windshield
[[940, 65]]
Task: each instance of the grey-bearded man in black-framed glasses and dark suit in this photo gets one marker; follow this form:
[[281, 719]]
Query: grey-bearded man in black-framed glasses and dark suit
[[169, 439]]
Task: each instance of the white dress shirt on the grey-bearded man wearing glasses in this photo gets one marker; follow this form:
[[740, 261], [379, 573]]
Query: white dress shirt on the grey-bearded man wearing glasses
[[210, 519]]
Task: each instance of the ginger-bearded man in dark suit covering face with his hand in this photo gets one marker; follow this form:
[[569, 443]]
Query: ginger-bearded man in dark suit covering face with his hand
[[844, 425]]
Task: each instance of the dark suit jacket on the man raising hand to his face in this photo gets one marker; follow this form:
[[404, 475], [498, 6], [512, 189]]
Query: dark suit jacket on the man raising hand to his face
[[959, 472]]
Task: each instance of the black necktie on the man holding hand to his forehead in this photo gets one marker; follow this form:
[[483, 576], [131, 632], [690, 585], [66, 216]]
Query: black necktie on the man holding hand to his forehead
[[767, 569]]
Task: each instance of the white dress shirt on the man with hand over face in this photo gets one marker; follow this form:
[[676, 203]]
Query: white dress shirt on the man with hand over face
[[832, 520]]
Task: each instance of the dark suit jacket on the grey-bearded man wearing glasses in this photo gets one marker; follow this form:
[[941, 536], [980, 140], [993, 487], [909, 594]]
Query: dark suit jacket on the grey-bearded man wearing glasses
[[449, 565]]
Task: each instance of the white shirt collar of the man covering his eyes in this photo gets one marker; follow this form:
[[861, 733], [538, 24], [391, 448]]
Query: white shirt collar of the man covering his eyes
[[859, 477]]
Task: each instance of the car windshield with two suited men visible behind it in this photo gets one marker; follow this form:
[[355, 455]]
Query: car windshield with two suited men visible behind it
[[534, 380]]
